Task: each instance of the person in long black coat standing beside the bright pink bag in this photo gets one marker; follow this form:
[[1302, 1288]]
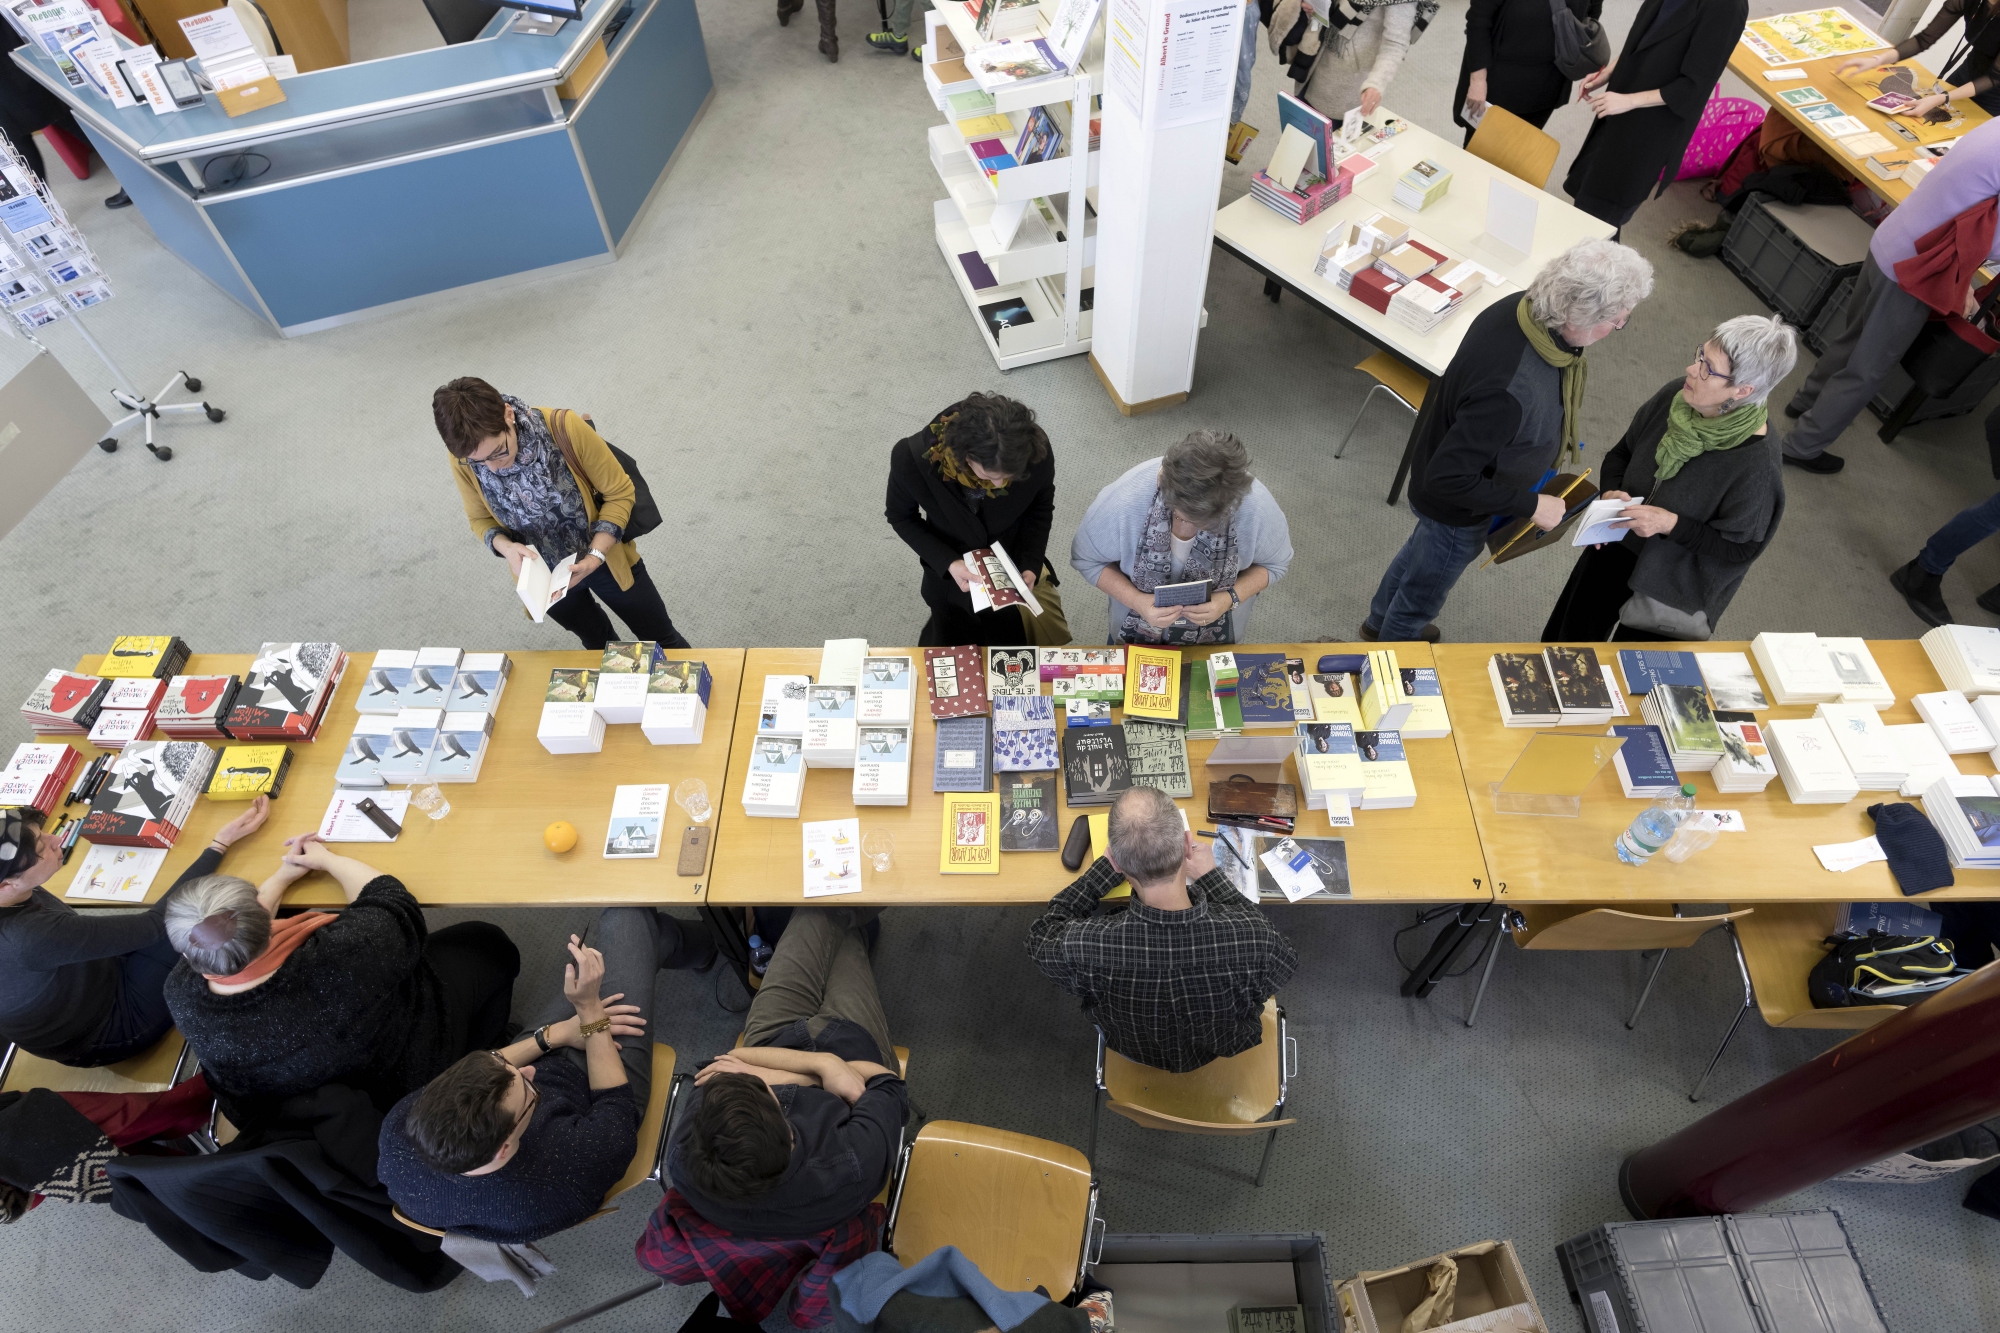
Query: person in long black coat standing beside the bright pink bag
[[1651, 101]]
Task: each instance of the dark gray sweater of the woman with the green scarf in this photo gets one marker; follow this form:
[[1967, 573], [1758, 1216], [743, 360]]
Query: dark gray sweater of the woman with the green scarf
[[1729, 505]]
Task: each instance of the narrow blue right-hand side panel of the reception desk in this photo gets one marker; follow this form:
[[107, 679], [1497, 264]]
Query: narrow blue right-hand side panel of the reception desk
[[643, 107]]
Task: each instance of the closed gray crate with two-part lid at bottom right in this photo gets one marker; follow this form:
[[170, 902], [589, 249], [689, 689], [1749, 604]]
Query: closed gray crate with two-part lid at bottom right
[[1741, 1274]]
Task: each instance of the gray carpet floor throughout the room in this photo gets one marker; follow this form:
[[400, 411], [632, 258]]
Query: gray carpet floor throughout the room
[[759, 357]]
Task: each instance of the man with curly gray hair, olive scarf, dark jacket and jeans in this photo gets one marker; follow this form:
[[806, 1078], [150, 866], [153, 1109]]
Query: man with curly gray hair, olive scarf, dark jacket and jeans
[[1503, 415]]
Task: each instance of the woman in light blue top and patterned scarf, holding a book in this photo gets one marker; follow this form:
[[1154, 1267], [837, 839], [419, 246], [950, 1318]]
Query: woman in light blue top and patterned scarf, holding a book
[[1185, 543]]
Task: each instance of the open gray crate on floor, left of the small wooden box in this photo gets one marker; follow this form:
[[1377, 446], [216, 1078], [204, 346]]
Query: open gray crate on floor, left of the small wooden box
[[1211, 1288]]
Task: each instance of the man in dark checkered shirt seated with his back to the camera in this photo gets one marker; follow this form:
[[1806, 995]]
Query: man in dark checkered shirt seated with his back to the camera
[[1181, 976]]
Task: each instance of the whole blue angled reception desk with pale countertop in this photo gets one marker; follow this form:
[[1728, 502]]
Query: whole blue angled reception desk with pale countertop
[[381, 183]]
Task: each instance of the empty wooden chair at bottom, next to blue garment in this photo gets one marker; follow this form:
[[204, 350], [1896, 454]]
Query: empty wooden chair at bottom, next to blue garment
[[1021, 1208]]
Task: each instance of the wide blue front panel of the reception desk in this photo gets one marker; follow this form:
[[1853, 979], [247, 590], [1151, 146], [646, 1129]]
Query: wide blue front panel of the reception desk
[[343, 245]]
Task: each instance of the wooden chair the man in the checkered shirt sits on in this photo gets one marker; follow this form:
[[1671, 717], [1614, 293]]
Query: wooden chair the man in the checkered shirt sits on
[[1231, 1096]]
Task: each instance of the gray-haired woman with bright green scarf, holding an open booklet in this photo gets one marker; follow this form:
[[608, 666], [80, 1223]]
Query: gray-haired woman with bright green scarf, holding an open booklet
[[1709, 493]]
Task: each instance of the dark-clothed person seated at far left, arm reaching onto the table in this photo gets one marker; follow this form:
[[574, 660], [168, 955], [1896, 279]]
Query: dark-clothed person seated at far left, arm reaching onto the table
[[85, 990]]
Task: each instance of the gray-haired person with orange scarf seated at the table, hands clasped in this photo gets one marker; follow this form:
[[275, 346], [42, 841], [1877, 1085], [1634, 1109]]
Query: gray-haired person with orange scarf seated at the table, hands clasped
[[367, 998]]
